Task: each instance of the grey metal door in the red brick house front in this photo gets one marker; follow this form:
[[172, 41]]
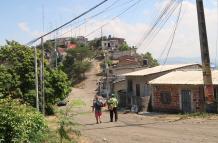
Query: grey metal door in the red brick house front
[[186, 101]]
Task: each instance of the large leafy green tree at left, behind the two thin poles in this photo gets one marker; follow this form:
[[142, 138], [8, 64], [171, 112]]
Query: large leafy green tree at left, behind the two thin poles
[[17, 76]]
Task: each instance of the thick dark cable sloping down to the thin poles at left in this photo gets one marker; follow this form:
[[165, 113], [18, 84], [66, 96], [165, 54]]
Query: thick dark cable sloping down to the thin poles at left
[[84, 13]]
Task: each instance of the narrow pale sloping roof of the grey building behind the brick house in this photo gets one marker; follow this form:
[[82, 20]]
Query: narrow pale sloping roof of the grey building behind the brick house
[[157, 69]]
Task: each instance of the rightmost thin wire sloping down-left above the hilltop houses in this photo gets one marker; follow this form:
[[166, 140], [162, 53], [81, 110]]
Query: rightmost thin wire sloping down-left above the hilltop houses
[[113, 18]]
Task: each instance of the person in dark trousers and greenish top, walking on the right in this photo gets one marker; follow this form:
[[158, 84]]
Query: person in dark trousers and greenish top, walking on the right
[[112, 105]]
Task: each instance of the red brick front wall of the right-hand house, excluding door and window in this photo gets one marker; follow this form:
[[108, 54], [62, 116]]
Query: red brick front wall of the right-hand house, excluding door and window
[[174, 106]]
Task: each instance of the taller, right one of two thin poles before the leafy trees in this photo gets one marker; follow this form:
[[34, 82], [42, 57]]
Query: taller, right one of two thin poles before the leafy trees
[[42, 77]]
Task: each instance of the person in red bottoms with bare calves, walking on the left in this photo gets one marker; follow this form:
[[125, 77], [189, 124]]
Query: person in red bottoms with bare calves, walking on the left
[[97, 105]]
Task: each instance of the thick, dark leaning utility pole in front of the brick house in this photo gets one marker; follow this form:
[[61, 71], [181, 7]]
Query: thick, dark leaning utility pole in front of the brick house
[[205, 57]]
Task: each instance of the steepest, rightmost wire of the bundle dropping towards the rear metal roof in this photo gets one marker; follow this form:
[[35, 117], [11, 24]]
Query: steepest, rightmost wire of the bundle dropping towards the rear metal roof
[[174, 32]]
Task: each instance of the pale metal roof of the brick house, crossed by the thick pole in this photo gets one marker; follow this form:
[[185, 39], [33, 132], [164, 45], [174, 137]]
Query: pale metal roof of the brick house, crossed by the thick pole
[[184, 77]]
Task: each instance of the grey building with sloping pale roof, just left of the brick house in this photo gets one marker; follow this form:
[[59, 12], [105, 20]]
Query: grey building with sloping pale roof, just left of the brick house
[[139, 91]]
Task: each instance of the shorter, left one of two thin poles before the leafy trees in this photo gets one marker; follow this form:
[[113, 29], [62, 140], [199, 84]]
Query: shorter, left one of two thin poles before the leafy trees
[[36, 78]]
